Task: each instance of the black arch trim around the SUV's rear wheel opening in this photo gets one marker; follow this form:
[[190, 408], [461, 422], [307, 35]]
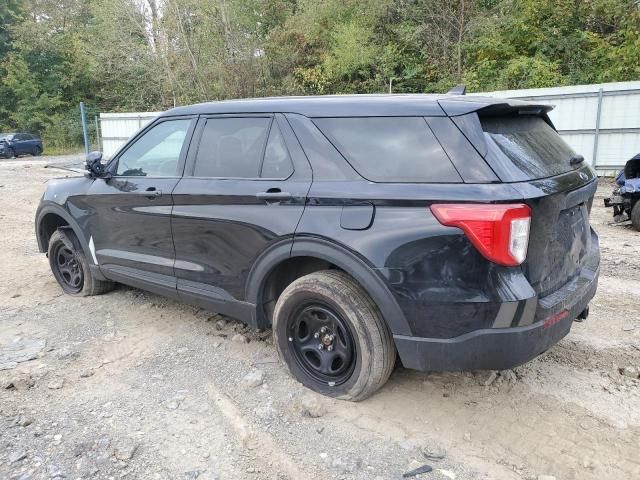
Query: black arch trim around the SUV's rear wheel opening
[[332, 254]]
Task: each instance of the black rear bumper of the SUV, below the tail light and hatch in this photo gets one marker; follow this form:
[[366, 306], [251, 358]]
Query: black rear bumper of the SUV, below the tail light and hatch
[[503, 348]]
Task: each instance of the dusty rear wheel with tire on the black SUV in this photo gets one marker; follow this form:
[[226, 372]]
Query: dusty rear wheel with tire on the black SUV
[[333, 300]]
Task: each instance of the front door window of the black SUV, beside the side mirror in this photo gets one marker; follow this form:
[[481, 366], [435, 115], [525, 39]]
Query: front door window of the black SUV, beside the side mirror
[[157, 152]]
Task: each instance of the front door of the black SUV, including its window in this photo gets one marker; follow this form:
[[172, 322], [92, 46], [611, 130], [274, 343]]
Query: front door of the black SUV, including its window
[[130, 214]]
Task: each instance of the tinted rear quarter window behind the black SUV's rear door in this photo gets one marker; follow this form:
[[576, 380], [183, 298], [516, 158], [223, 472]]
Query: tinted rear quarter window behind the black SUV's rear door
[[390, 149]]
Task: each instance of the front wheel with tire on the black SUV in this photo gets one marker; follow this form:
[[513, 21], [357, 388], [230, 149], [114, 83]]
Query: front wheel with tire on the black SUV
[[70, 267]]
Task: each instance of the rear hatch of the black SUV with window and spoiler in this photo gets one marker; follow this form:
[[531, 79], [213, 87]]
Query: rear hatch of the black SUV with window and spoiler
[[519, 143]]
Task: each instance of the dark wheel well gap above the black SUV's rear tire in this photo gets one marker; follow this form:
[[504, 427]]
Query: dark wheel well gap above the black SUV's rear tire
[[283, 275]]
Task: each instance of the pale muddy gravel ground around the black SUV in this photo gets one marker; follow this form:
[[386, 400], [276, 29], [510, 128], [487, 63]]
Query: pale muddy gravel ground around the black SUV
[[132, 385]]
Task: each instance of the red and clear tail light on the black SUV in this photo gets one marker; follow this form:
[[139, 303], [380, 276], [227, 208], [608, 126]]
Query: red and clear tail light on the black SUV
[[500, 232]]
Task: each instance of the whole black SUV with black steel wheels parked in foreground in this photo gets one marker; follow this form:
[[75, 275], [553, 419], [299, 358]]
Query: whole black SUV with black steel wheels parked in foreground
[[452, 230]]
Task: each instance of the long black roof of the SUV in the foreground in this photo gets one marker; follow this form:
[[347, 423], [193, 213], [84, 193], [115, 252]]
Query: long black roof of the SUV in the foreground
[[353, 105]]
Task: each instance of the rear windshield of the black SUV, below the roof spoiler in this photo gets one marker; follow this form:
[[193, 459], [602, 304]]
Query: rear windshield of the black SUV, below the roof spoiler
[[525, 147]]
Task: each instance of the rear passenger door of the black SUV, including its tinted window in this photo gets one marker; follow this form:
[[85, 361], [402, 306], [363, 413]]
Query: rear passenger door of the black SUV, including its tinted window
[[244, 189]]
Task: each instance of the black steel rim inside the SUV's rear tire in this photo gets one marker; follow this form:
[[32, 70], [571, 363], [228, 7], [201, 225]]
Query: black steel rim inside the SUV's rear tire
[[322, 343]]
